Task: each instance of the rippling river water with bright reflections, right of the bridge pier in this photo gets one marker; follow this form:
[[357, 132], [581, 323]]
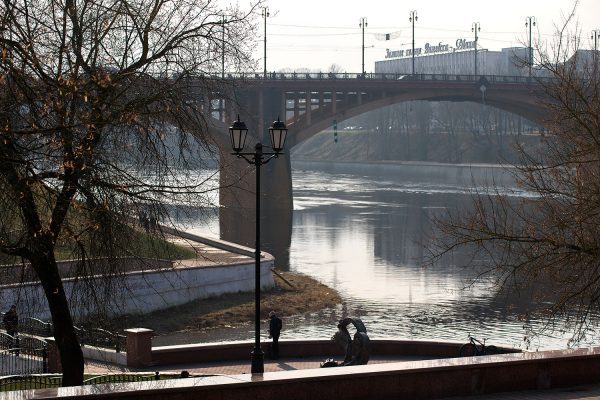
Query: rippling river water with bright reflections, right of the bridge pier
[[362, 230]]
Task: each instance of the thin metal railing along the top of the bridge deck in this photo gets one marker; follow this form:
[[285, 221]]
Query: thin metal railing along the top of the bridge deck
[[383, 76]]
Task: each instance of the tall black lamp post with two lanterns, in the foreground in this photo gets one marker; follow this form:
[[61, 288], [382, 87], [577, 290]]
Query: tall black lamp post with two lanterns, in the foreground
[[238, 132]]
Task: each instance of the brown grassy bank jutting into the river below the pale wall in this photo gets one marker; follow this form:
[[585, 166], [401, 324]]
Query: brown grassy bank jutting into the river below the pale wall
[[216, 318]]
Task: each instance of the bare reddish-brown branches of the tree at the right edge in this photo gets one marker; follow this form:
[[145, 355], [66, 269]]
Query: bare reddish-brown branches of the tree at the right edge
[[546, 246]]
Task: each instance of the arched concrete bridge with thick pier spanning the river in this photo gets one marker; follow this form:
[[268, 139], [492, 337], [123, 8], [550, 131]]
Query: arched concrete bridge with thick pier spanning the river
[[310, 102]]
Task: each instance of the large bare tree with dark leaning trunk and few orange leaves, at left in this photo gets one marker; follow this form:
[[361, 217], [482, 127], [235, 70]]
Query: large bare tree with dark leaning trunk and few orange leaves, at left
[[99, 100]]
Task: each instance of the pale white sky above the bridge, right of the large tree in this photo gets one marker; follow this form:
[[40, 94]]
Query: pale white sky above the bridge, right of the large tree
[[314, 34]]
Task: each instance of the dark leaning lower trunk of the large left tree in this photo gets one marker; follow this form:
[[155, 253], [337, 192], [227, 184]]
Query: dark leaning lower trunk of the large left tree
[[71, 356]]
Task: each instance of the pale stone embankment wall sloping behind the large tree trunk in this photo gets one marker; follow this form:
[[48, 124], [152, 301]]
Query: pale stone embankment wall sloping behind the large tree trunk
[[143, 291]]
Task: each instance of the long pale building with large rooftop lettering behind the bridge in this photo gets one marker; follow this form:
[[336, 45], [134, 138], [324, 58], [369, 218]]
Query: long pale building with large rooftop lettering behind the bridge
[[458, 60]]
